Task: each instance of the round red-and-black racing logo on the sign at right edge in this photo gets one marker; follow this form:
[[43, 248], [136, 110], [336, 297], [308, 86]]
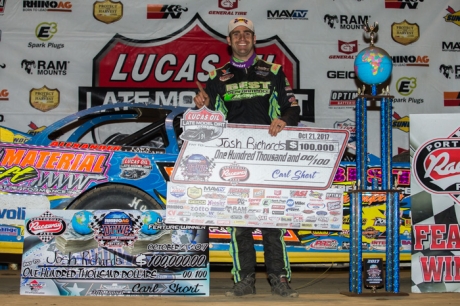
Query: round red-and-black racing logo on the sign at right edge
[[436, 166]]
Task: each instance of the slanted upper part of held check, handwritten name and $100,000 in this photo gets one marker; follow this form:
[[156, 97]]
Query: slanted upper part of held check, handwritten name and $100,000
[[217, 153]]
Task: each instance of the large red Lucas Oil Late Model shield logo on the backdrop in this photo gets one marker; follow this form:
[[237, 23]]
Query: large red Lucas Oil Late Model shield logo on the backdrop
[[156, 75]]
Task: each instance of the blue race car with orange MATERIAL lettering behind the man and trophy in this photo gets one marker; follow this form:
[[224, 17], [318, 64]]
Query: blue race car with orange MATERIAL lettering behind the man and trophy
[[120, 156]]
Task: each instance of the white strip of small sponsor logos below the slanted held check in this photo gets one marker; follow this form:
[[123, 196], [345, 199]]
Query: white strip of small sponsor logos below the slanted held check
[[279, 208]]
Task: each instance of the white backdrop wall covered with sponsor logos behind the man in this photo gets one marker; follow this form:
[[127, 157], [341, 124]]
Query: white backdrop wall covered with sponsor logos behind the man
[[44, 65]]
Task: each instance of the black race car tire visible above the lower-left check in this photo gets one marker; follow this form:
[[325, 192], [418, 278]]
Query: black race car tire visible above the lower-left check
[[116, 197]]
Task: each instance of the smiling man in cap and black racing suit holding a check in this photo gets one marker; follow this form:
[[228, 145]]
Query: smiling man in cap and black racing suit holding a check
[[251, 91]]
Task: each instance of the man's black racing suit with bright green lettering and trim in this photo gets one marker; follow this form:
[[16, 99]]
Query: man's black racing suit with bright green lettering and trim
[[254, 95]]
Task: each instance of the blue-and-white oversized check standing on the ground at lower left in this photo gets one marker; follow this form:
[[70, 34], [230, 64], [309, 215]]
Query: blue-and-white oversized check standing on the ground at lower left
[[112, 253]]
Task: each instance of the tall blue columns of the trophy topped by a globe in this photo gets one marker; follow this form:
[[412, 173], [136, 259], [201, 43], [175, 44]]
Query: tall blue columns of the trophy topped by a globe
[[392, 196]]
